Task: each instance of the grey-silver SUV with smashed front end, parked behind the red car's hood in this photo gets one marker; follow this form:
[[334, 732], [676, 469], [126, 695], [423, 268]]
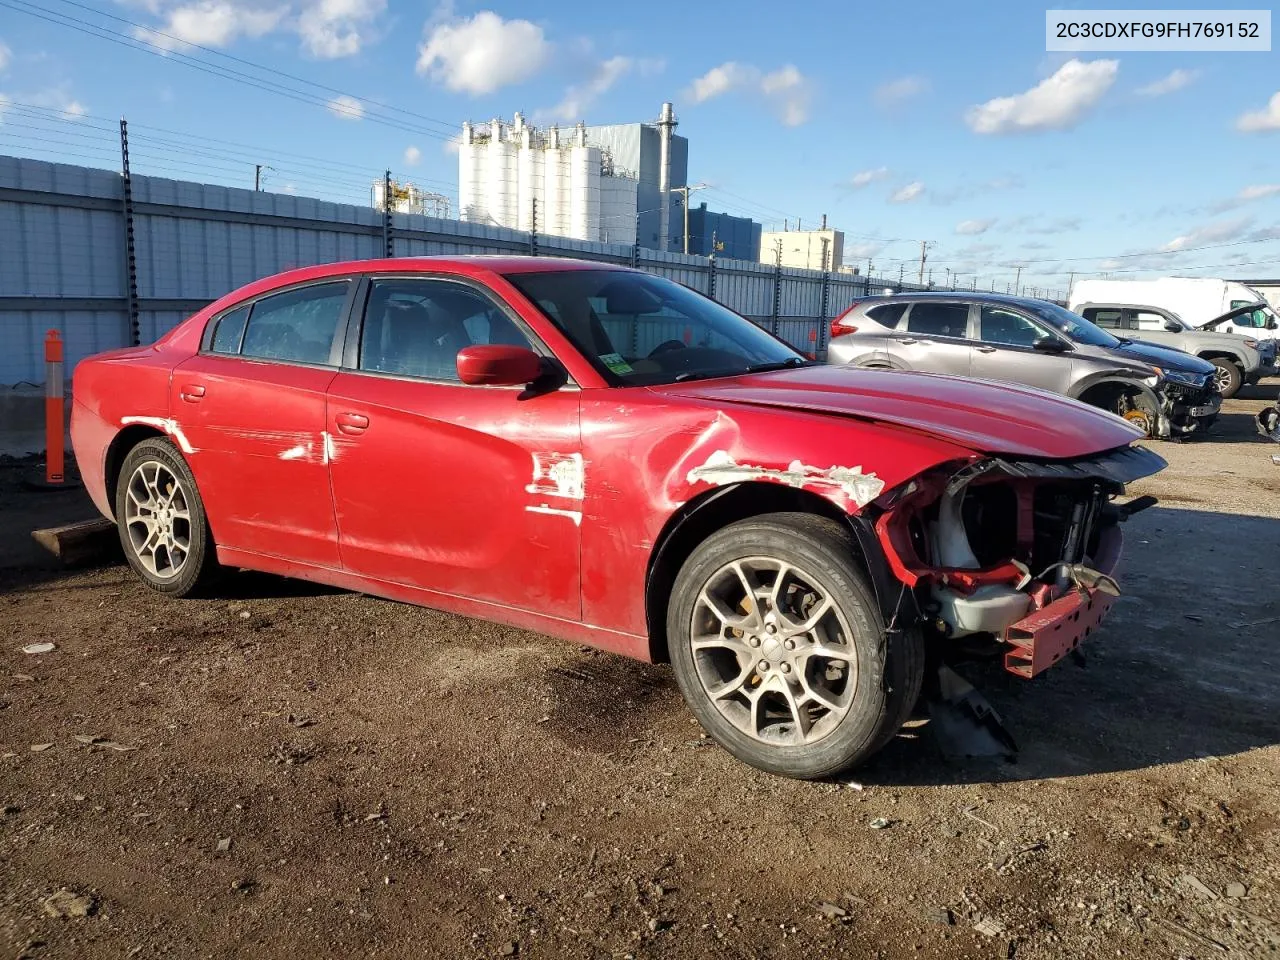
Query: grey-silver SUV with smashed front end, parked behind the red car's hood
[[1032, 342]]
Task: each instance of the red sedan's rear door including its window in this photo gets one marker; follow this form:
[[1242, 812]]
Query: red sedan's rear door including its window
[[252, 412]]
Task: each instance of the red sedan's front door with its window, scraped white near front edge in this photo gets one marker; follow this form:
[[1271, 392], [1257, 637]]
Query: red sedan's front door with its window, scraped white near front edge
[[468, 491]]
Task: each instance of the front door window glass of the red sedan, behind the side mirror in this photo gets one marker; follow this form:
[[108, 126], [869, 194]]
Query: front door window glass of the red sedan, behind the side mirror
[[417, 328]]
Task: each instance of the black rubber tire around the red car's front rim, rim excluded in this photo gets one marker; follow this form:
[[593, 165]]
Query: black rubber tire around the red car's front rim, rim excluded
[[890, 669]]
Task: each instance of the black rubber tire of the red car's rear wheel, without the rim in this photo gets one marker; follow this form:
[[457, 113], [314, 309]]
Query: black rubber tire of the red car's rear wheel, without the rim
[[199, 565]]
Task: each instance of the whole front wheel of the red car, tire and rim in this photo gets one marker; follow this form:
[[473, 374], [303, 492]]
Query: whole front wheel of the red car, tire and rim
[[780, 650]]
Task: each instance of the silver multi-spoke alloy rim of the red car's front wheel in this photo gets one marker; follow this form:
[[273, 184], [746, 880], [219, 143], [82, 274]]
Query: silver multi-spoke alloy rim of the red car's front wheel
[[794, 684]]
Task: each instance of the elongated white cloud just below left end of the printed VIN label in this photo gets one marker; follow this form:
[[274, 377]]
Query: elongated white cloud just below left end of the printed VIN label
[[1058, 103]]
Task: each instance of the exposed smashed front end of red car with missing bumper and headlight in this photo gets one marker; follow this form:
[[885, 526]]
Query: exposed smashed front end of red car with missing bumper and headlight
[[1007, 556]]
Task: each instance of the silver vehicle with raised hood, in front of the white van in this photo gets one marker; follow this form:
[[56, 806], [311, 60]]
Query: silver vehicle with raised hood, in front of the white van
[[1240, 360]]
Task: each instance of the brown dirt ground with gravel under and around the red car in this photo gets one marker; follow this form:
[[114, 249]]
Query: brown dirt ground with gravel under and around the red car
[[314, 774]]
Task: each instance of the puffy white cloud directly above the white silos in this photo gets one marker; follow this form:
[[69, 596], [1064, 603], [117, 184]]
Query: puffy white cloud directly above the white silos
[[482, 54]]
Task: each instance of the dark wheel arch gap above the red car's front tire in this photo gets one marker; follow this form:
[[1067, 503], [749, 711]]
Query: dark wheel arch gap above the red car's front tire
[[717, 509]]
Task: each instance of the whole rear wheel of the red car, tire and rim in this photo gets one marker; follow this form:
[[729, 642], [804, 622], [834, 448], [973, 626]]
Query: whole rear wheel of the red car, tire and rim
[[162, 520]]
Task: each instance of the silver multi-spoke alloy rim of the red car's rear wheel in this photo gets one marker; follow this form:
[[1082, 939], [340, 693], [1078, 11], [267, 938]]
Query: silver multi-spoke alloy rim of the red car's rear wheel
[[158, 519]]
